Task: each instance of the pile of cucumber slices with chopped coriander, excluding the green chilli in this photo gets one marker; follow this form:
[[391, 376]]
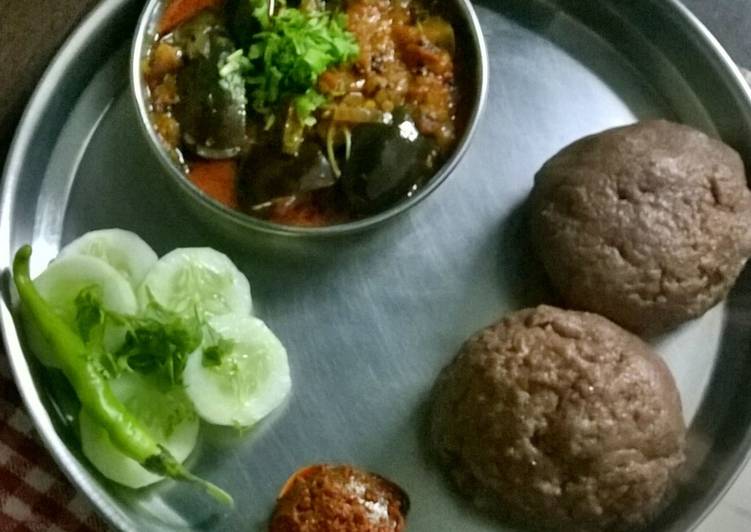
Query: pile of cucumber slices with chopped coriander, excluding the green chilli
[[150, 313]]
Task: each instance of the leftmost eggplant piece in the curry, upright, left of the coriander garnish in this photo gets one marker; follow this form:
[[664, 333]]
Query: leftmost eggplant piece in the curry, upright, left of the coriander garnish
[[212, 109]]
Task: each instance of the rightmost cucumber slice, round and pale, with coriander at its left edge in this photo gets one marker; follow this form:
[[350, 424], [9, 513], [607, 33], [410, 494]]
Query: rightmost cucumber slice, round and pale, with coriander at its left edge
[[251, 381]]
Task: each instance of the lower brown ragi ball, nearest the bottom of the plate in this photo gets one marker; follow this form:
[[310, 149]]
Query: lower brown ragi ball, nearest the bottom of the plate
[[561, 418]]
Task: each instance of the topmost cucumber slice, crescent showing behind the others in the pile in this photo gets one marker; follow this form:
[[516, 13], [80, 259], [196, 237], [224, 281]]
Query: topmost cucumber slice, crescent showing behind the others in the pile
[[123, 250]]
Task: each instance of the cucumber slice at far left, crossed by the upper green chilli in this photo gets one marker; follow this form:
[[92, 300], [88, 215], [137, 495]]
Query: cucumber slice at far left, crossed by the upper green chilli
[[63, 280]]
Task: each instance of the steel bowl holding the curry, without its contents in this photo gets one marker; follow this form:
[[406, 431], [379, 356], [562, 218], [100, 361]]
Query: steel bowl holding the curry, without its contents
[[473, 84]]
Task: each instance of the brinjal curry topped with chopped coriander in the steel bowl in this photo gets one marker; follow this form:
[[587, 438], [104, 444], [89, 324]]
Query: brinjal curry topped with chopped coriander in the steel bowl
[[312, 113]]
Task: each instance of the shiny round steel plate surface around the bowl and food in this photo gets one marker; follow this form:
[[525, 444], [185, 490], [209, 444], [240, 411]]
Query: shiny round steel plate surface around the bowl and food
[[369, 321]]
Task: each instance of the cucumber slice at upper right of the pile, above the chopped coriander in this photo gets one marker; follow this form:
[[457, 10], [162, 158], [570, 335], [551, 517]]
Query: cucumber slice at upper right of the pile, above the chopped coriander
[[187, 280]]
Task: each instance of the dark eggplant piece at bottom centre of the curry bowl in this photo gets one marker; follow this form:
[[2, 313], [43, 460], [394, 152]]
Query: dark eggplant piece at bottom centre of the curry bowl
[[272, 174]]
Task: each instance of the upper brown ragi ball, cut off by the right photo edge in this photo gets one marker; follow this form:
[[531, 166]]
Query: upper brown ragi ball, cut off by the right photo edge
[[648, 224]]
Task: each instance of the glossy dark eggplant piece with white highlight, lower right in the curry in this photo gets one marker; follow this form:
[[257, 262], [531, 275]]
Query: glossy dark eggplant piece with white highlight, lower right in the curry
[[387, 163]]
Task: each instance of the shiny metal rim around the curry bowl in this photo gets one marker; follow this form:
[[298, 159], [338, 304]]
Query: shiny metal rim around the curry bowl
[[240, 219]]
